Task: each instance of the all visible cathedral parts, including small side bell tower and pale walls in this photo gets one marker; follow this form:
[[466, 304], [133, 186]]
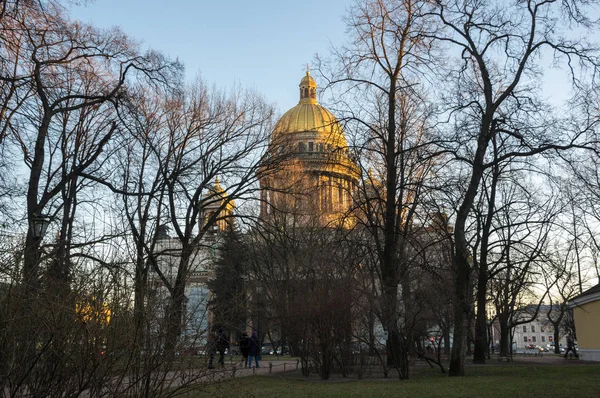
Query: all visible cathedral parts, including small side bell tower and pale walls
[[310, 182]]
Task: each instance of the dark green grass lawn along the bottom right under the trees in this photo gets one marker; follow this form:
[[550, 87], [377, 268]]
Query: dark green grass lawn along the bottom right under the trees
[[482, 381]]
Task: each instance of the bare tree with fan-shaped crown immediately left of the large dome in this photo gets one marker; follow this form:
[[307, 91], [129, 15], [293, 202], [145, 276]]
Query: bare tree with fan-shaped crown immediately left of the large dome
[[211, 135]]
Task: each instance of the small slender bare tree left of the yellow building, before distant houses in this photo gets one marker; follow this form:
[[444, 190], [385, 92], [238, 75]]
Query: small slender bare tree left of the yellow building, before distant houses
[[518, 252]]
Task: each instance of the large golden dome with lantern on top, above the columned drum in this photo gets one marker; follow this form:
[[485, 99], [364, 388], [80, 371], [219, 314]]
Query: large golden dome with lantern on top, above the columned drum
[[310, 117]]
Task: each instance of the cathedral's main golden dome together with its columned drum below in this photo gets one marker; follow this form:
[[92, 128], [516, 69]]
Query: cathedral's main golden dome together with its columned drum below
[[314, 176]]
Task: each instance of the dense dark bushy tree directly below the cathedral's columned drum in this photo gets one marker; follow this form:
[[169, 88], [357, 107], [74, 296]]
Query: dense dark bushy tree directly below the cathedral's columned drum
[[305, 271]]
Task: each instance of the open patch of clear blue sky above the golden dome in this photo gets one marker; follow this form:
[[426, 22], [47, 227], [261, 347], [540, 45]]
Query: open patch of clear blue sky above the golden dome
[[261, 44]]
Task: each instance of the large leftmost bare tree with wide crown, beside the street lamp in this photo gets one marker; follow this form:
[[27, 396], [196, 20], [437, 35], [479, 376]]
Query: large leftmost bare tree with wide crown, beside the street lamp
[[58, 112]]
